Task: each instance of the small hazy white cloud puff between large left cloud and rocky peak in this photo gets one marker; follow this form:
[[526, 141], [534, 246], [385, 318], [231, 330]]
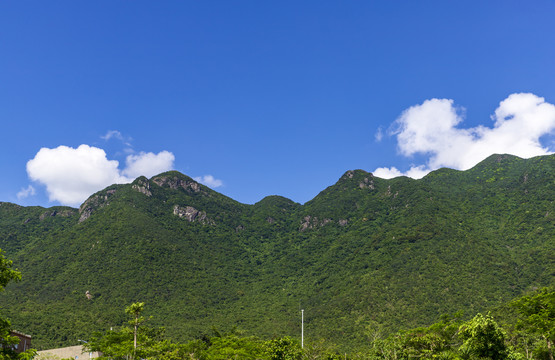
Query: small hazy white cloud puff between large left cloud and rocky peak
[[148, 164]]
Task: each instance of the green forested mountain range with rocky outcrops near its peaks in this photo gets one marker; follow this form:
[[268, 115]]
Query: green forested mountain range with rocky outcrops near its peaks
[[366, 251]]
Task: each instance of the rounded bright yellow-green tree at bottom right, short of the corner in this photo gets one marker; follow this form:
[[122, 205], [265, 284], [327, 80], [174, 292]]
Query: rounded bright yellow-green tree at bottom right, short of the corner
[[483, 338]]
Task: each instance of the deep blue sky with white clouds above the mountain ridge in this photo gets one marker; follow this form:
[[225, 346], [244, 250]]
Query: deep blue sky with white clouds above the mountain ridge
[[260, 98]]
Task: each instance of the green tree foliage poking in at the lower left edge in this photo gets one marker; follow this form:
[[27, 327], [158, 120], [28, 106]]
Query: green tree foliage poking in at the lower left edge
[[7, 341]]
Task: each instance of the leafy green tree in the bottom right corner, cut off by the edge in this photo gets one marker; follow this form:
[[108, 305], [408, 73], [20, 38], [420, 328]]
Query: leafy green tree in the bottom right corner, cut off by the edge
[[538, 316]]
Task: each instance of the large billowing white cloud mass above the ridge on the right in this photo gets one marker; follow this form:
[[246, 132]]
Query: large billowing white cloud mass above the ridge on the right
[[431, 129]]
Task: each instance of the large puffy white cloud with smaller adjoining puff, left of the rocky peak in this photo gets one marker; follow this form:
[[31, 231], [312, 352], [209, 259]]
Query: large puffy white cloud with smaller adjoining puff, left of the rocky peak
[[71, 175]]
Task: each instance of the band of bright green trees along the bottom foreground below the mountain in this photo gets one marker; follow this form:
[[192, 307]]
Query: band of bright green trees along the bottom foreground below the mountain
[[527, 332]]
